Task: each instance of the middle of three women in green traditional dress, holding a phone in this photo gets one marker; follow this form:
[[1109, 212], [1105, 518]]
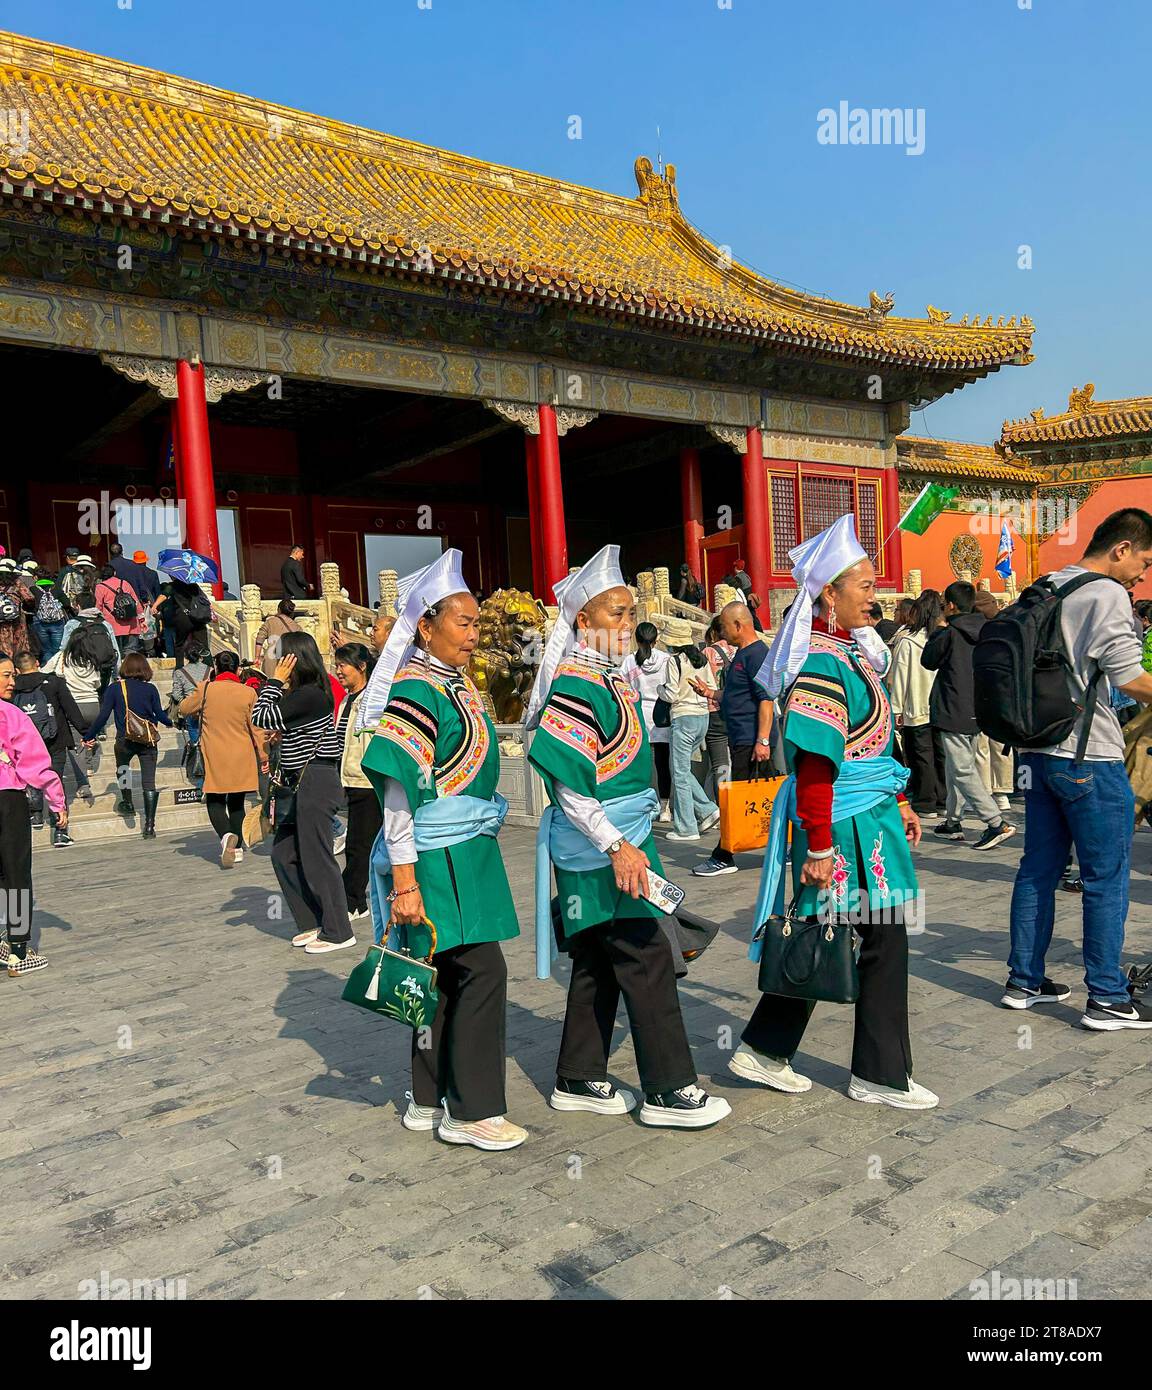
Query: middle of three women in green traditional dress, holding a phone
[[591, 749]]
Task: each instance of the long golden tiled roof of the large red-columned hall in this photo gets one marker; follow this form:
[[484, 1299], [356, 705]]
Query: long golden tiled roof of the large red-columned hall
[[124, 140]]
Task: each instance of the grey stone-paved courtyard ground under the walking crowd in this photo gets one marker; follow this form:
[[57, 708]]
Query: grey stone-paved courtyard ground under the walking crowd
[[184, 1096]]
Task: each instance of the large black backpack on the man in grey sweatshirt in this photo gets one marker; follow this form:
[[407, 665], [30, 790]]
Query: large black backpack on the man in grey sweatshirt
[[1021, 669]]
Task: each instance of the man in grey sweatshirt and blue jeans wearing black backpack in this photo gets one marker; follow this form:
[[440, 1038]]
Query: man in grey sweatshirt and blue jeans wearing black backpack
[[1075, 644]]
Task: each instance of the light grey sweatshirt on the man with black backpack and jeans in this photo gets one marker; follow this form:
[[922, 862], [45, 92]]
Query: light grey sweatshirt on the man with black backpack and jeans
[[1097, 623]]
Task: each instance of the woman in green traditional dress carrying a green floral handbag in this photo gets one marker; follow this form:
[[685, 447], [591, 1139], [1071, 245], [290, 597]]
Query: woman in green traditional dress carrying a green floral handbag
[[434, 762]]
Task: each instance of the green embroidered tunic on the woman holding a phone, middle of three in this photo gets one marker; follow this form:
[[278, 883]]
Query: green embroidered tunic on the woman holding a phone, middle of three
[[591, 739]]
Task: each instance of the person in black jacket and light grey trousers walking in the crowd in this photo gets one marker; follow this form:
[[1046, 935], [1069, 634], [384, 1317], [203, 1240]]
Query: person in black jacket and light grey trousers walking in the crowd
[[953, 711]]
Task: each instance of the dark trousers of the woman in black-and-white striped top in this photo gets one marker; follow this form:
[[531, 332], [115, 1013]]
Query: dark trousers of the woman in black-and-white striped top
[[302, 856]]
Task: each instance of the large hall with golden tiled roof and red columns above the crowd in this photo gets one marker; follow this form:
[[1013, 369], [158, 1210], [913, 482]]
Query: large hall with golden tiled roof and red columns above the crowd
[[309, 333]]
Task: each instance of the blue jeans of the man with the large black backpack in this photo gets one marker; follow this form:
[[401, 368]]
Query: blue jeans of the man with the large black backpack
[[1089, 806]]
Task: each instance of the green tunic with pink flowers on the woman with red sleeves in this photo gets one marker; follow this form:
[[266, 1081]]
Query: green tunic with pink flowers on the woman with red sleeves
[[839, 708]]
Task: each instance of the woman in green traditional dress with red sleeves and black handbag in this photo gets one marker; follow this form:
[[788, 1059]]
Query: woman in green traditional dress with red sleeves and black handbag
[[853, 826]]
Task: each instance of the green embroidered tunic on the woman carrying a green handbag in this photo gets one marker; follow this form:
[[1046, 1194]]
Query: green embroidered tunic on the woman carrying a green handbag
[[436, 740]]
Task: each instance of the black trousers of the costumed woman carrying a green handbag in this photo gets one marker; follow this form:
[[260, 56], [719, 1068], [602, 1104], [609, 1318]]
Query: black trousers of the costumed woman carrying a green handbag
[[461, 1060]]
